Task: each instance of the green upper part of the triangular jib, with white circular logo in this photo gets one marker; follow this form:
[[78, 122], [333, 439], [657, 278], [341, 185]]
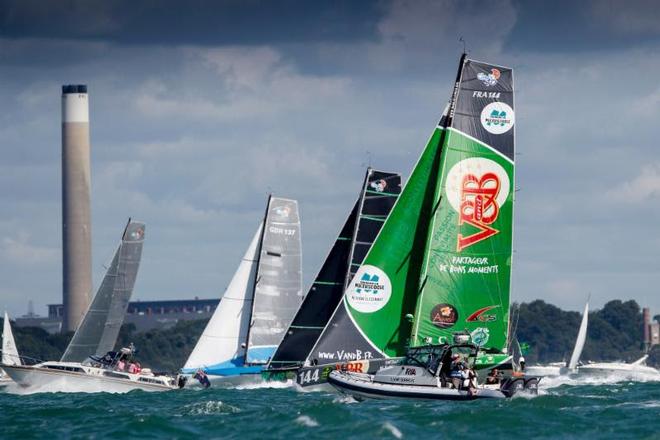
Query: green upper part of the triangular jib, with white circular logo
[[384, 290]]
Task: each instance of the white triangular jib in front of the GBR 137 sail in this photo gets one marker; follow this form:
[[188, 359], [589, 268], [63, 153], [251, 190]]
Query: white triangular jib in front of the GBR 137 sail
[[224, 337]]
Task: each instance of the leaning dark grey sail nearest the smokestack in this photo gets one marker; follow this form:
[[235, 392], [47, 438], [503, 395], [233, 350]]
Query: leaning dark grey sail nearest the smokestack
[[98, 331]]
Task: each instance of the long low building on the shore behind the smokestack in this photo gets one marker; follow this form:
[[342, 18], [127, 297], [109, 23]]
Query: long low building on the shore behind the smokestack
[[145, 315]]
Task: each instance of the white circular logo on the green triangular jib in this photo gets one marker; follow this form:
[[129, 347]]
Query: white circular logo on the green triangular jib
[[370, 289]]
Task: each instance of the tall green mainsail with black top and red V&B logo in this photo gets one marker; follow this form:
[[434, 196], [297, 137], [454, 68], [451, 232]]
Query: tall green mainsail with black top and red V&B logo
[[465, 283]]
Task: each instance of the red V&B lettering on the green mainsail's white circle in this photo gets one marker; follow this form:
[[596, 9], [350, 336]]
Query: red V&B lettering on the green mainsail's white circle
[[478, 208]]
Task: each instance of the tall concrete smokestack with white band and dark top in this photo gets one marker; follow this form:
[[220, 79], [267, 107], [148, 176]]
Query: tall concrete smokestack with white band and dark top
[[76, 223]]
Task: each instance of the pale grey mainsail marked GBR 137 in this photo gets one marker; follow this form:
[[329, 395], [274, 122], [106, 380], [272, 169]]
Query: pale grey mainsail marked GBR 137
[[278, 287]]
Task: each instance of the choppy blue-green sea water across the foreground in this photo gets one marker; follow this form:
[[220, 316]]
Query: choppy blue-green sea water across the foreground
[[604, 408]]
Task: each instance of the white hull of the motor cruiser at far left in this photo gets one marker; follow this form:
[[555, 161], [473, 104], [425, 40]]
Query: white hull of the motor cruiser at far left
[[37, 379]]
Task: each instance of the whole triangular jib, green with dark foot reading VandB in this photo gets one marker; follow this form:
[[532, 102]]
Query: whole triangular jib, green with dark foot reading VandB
[[370, 322]]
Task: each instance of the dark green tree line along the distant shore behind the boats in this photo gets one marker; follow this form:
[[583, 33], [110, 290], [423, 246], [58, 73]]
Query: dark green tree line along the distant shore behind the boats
[[615, 333]]
